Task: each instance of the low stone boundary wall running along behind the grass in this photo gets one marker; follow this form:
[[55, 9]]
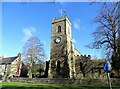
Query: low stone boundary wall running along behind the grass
[[66, 81]]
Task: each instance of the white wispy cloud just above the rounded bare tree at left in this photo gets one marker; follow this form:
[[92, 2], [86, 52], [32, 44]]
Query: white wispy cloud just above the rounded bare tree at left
[[28, 32]]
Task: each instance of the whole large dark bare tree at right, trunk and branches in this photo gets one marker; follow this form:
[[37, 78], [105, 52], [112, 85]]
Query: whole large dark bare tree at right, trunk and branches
[[107, 34]]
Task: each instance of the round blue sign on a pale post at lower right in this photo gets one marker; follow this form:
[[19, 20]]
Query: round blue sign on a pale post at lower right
[[107, 68]]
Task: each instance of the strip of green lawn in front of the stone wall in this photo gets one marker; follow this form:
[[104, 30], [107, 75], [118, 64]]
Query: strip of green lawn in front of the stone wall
[[19, 85]]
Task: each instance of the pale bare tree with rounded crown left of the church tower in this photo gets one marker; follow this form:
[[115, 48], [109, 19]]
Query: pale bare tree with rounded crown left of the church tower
[[33, 53]]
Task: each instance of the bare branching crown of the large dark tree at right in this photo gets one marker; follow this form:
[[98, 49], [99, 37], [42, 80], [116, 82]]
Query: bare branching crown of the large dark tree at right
[[106, 34]]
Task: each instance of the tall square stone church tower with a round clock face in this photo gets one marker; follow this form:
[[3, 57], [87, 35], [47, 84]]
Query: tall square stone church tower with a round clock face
[[61, 49]]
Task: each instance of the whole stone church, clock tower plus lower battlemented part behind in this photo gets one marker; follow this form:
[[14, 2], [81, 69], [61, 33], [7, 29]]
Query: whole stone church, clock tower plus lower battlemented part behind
[[65, 60]]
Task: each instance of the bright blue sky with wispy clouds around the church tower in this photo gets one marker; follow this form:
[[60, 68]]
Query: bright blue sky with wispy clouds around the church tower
[[20, 21]]
